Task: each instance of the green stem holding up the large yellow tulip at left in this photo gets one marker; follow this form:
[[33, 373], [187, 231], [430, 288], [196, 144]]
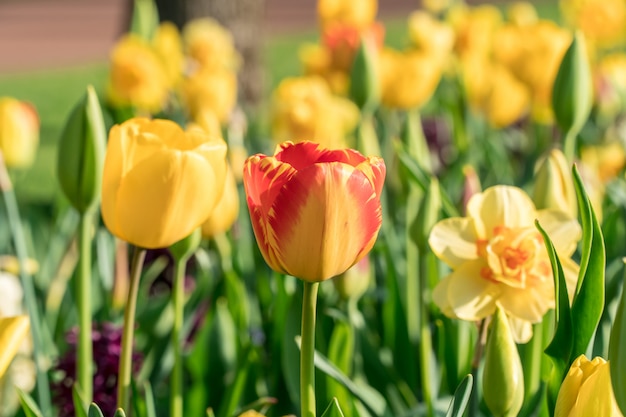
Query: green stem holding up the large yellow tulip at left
[[126, 359]]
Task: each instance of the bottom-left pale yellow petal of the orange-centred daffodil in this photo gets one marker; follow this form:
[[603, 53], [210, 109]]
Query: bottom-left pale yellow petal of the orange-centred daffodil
[[470, 296]]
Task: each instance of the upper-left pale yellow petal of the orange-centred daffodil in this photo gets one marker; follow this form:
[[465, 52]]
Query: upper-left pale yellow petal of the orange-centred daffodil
[[453, 240]]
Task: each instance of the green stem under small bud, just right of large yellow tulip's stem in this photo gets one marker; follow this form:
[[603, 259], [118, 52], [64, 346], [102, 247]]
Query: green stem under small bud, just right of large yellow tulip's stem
[[178, 298]]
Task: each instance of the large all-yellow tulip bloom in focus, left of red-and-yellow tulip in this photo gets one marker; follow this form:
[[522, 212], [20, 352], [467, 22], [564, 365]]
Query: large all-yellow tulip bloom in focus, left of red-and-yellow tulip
[[159, 182]]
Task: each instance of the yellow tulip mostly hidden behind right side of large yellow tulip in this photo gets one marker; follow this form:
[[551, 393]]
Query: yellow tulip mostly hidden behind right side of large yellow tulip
[[226, 211]]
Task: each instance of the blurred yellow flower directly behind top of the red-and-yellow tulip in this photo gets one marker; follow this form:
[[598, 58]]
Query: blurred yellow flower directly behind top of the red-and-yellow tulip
[[304, 108]]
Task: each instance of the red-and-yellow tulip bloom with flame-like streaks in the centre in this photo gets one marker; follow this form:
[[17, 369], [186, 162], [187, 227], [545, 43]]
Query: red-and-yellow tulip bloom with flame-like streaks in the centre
[[315, 212]]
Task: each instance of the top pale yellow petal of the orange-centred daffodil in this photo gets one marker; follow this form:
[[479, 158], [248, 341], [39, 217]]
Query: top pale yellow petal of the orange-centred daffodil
[[500, 205]]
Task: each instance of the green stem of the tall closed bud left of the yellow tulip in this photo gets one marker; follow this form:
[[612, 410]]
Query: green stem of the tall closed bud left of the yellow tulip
[[84, 359]]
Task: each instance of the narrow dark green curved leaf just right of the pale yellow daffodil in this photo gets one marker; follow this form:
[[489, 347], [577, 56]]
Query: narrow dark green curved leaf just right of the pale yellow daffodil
[[560, 348]]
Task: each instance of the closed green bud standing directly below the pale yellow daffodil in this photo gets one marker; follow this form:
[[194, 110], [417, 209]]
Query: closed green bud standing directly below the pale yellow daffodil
[[503, 377]]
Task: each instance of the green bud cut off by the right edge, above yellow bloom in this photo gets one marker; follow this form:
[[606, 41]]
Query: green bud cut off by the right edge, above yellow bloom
[[617, 353]]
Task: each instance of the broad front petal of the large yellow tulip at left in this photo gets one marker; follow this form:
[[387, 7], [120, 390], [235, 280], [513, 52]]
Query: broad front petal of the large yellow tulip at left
[[146, 215]]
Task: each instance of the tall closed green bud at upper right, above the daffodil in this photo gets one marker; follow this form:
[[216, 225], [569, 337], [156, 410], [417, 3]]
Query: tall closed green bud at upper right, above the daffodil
[[572, 92]]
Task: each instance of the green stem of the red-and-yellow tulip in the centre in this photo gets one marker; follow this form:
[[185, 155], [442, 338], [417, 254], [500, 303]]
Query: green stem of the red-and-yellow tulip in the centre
[[307, 350]]
